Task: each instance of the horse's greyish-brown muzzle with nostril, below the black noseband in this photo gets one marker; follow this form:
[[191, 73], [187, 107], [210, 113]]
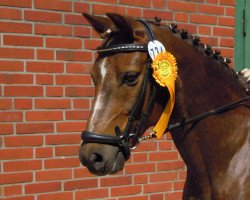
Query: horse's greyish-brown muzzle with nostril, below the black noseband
[[102, 164]]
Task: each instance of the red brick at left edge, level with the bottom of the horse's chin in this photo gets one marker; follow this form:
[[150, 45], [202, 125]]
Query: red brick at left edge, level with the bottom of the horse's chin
[[11, 178]]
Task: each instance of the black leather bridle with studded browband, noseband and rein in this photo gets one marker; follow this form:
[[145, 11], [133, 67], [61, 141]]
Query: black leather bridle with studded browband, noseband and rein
[[130, 137]]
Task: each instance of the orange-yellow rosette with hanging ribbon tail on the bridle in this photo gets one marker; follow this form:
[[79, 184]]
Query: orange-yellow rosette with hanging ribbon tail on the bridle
[[165, 73]]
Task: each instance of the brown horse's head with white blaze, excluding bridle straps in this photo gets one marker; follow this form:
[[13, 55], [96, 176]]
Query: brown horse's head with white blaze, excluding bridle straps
[[118, 78]]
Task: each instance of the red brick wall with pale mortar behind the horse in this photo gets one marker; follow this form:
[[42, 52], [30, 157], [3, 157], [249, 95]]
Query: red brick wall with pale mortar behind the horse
[[46, 94]]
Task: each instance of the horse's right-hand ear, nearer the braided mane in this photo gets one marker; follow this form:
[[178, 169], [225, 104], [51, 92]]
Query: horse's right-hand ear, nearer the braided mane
[[121, 23]]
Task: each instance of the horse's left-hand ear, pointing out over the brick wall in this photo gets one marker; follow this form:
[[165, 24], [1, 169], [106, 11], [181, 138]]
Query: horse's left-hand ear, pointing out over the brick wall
[[100, 24]]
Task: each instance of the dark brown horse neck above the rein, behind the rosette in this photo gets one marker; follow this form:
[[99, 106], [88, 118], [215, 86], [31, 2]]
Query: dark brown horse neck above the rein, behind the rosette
[[204, 83]]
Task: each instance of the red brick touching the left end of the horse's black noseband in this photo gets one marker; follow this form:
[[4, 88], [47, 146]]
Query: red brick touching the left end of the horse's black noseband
[[63, 139]]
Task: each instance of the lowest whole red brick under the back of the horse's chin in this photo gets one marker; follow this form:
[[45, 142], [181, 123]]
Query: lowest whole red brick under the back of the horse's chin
[[126, 190]]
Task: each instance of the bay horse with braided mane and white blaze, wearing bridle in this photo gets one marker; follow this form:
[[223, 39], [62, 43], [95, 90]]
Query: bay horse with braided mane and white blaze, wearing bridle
[[210, 119]]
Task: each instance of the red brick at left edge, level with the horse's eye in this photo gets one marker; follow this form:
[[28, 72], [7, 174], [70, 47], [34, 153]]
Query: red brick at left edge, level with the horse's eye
[[16, 79]]
